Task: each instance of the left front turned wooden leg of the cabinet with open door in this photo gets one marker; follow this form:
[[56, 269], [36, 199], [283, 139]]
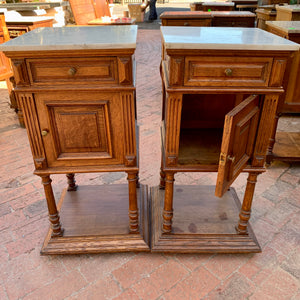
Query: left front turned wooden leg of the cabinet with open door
[[168, 205]]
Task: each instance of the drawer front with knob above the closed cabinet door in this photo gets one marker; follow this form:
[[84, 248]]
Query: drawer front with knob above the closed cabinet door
[[72, 70]]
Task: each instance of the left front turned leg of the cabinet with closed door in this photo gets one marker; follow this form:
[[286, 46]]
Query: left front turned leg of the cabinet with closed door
[[52, 209]]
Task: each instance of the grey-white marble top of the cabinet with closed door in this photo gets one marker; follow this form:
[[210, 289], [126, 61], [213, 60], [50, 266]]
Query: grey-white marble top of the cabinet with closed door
[[74, 38]]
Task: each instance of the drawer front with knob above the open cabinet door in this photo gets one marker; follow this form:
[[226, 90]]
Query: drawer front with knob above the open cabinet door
[[227, 71]]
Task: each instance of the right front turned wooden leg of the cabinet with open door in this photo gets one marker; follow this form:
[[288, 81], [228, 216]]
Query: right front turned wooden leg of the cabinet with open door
[[247, 202]]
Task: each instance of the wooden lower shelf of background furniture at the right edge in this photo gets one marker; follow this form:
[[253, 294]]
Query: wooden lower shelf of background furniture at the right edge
[[287, 146]]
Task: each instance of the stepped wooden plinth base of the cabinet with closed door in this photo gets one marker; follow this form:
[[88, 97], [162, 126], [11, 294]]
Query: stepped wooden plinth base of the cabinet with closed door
[[95, 219]]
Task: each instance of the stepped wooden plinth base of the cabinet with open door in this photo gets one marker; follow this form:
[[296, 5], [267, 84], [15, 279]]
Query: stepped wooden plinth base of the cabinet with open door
[[202, 223]]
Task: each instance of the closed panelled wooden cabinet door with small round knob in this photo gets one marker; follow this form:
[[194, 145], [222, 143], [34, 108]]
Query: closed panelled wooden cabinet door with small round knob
[[81, 129]]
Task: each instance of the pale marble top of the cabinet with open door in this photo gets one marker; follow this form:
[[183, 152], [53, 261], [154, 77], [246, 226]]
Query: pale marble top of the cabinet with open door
[[229, 38]]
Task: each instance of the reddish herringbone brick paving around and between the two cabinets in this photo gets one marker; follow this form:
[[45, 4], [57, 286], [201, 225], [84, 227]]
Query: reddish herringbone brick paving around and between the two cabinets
[[24, 274]]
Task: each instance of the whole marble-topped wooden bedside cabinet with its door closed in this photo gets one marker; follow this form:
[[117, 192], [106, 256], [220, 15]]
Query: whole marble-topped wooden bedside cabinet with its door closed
[[76, 88]]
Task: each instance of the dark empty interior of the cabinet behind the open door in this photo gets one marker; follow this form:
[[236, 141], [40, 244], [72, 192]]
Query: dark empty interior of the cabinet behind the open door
[[201, 130]]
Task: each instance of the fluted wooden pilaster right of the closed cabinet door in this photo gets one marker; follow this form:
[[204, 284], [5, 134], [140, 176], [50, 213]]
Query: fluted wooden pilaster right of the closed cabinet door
[[129, 129]]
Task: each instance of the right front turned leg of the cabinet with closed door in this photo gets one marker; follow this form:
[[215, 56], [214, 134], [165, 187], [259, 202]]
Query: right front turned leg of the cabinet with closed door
[[133, 207]]
